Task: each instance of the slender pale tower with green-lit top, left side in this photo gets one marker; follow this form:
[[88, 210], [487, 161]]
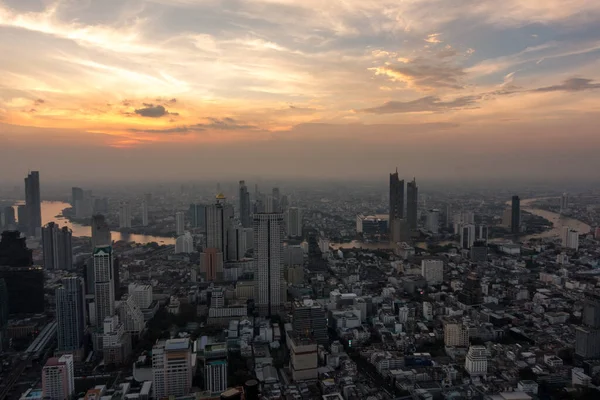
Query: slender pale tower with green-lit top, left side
[[104, 286]]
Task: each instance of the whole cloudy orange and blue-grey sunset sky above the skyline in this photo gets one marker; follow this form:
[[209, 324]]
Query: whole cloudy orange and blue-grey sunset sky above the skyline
[[192, 89]]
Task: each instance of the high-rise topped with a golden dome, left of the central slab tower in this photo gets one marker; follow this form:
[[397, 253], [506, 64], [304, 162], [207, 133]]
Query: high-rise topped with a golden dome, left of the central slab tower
[[218, 219]]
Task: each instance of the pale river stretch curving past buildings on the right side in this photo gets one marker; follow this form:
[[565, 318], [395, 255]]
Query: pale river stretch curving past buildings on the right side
[[557, 220]]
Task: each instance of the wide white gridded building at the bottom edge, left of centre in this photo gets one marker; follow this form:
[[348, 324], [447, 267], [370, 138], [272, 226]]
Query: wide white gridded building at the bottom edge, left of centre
[[173, 366]]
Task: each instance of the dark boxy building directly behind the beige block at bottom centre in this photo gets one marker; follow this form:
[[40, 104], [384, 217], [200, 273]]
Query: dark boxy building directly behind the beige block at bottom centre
[[309, 320]]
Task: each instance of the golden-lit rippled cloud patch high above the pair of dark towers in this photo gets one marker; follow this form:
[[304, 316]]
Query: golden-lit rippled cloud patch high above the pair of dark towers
[[423, 74]]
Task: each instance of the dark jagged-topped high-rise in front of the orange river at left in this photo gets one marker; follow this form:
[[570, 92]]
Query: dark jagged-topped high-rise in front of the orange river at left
[[57, 247]]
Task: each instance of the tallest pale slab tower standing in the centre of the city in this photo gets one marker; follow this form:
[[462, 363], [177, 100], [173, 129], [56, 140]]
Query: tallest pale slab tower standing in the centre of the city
[[268, 249]]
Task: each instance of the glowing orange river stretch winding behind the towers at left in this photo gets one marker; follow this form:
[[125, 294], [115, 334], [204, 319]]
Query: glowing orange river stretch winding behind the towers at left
[[52, 212]]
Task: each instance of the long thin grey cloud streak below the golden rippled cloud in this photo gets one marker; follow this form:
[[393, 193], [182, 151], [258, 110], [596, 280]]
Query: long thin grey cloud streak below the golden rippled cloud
[[424, 104]]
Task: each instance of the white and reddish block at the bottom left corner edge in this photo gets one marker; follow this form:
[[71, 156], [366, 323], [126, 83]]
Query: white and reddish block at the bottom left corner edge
[[58, 378]]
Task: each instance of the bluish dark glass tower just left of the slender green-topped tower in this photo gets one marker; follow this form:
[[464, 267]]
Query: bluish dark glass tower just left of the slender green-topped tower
[[70, 314]]
